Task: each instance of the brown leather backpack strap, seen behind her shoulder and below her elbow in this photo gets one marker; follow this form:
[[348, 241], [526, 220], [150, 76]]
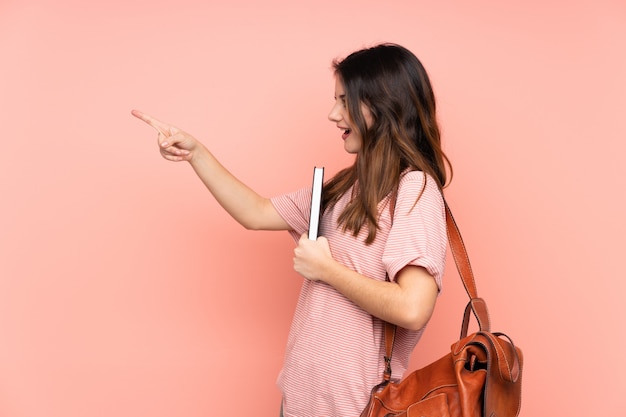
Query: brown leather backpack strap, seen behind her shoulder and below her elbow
[[476, 305]]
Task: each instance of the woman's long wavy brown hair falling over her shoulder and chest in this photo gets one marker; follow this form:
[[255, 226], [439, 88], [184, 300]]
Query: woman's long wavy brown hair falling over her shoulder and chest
[[404, 134]]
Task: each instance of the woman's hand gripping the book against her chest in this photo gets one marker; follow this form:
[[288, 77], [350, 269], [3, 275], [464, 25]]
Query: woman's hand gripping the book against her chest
[[311, 257]]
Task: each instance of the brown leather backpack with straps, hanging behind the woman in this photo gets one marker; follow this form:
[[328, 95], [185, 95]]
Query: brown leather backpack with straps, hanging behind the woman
[[480, 377]]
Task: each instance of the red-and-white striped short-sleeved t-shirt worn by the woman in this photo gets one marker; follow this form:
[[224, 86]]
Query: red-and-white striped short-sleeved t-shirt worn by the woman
[[334, 352]]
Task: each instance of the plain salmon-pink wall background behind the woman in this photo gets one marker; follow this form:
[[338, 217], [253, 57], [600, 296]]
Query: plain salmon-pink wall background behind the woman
[[126, 291]]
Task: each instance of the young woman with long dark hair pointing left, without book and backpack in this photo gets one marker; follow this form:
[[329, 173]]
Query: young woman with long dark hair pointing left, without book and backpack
[[383, 240]]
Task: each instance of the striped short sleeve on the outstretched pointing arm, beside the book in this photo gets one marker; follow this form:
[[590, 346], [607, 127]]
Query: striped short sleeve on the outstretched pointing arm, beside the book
[[295, 209]]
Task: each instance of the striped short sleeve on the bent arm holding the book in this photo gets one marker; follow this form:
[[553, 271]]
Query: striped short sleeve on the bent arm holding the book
[[418, 231]]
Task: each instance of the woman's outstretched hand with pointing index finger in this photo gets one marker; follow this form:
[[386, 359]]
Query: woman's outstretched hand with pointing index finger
[[174, 144]]
